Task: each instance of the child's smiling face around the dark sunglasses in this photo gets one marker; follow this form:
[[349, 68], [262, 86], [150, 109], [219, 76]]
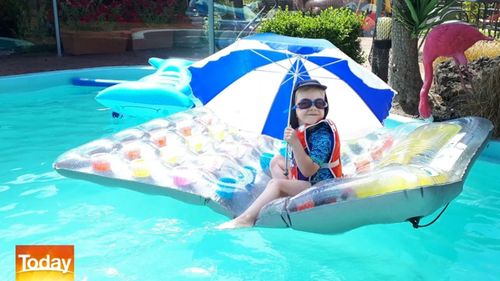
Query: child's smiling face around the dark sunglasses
[[312, 114]]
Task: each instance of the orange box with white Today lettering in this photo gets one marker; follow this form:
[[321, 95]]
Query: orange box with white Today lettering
[[45, 262]]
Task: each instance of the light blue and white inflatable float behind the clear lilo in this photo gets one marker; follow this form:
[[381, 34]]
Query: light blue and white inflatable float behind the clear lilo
[[165, 92]]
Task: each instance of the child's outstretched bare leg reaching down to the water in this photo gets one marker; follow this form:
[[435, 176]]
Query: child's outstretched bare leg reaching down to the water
[[276, 188]]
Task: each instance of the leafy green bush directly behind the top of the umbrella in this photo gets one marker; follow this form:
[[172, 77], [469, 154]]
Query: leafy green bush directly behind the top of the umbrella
[[341, 27]]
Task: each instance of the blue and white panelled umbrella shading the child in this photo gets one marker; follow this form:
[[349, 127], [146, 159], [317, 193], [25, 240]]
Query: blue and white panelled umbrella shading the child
[[249, 84]]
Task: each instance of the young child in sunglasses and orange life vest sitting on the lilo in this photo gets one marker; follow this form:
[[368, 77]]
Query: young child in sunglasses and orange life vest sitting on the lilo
[[315, 146]]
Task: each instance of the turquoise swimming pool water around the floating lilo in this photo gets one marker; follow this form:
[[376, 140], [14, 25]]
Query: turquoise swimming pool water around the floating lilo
[[120, 234]]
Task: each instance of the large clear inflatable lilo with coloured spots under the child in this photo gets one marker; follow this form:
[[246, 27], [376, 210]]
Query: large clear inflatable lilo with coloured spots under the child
[[391, 175]]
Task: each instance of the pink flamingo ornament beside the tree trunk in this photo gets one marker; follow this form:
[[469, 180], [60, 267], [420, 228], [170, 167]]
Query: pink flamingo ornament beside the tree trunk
[[445, 40]]
